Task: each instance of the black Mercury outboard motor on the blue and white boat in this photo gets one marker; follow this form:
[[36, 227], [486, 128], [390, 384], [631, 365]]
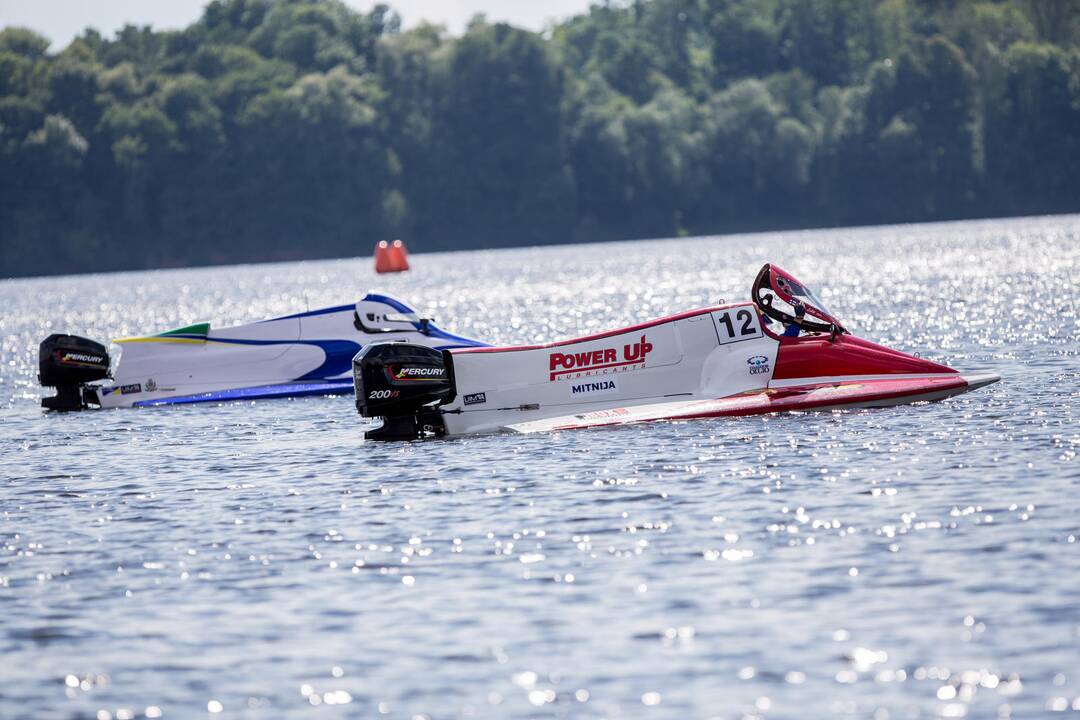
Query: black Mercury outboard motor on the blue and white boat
[[67, 362]]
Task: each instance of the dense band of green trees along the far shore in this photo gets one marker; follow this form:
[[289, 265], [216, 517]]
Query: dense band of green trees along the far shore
[[281, 130]]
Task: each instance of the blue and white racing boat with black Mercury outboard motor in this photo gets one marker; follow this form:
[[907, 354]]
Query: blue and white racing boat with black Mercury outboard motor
[[309, 354]]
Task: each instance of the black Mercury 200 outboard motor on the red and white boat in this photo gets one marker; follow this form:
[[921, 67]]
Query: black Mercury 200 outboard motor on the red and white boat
[[403, 385]]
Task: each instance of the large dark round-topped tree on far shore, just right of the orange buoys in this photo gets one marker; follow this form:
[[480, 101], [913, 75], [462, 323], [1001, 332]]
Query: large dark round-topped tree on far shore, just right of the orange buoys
[[497, 158]]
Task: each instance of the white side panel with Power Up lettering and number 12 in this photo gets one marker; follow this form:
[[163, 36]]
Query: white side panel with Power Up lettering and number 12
[[680, 359]]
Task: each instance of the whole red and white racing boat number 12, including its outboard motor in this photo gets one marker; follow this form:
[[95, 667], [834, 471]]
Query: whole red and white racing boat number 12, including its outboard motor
[[781, 351]]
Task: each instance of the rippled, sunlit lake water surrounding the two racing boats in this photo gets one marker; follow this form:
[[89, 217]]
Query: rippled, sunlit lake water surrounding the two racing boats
[[263, 561]]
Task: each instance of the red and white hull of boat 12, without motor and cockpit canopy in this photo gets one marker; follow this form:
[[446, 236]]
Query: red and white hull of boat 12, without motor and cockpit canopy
[[709, 363]]
